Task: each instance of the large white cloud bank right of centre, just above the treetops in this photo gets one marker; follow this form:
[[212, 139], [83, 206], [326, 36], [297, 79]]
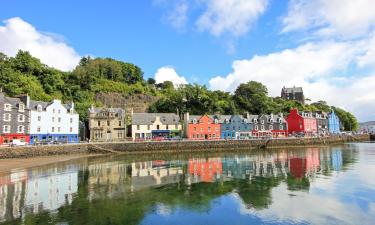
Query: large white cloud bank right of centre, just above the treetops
[[318, 67]]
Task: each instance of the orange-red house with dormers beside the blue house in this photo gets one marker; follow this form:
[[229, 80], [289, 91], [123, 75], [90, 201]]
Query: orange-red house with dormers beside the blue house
[[201, 127]]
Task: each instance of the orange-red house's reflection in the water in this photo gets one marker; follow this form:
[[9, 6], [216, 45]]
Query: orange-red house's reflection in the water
[[208, 170]]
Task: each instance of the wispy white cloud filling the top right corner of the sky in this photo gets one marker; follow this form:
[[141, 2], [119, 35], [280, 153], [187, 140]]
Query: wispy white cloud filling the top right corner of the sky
[[346, 18]]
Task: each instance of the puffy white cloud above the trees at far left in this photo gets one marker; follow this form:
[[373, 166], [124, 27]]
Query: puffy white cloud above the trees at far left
[[17, 34]]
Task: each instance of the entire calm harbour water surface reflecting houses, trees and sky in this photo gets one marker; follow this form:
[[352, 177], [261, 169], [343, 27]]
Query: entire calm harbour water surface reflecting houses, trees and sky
[[331, 185]]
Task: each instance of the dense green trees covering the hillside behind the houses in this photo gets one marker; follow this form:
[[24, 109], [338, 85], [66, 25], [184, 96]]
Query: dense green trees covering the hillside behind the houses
[[26, 74]]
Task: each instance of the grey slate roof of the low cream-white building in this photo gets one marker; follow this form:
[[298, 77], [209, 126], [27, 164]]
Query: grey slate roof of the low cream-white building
[[149, 118]]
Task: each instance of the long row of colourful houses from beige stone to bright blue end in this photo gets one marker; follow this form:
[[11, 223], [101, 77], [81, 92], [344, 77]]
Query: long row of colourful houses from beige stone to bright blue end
[[111, 124]]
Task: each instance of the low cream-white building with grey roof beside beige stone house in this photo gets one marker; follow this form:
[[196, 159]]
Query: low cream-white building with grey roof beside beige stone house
[[155, 126]]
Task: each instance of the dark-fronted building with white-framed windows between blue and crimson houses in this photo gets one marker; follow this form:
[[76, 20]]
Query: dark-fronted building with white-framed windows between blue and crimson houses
[[269, 125]]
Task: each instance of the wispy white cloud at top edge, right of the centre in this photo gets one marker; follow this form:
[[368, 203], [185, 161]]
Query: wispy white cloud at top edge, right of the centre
[[230, 16]]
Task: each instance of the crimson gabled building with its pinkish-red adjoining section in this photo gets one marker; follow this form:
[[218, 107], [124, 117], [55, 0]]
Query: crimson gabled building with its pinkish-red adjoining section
[[302, 122]]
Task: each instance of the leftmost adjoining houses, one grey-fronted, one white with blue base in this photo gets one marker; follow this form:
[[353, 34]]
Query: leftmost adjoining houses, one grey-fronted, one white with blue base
[[35, 121]]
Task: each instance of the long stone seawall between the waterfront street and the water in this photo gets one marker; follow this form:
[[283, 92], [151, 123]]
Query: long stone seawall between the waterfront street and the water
[[175, 146]]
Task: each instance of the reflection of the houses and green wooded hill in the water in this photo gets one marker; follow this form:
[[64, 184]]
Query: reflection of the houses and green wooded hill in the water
[[126, 190]]
